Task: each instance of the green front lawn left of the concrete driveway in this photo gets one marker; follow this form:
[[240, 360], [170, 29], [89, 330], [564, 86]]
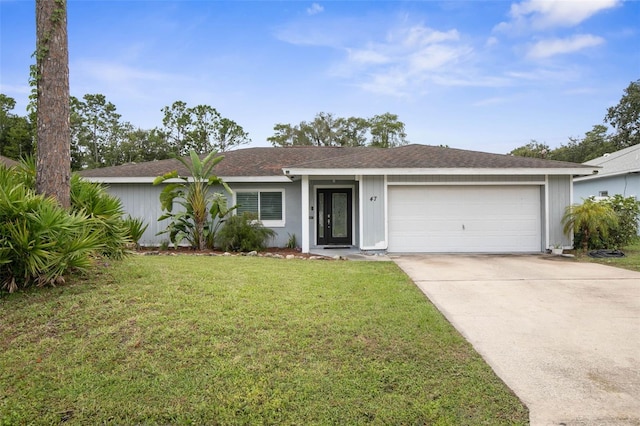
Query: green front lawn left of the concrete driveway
[[237, 340]]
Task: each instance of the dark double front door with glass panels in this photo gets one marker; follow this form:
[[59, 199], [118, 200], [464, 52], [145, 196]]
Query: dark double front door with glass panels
[[334, 216]]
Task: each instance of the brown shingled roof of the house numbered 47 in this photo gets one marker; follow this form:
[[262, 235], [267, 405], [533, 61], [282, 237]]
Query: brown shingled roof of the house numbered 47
[[269, 162]]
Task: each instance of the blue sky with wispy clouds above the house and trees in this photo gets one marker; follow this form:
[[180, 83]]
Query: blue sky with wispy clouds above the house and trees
[[480, 75]]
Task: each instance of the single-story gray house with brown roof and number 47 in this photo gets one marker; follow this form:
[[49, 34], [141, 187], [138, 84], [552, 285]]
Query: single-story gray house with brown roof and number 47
[[408, 199]]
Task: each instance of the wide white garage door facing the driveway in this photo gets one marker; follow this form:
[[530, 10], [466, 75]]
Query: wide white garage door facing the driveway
[[472, 219]]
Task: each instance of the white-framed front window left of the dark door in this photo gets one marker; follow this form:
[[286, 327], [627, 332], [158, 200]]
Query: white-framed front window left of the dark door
[[268, 205]]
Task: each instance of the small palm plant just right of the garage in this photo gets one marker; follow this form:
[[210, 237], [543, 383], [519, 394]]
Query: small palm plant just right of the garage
[[593, 219]]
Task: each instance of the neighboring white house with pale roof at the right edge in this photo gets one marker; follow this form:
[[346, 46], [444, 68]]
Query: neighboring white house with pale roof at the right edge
[[619, 174]]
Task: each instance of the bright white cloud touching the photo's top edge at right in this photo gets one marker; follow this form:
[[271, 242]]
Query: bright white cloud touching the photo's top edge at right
[[545, 14]]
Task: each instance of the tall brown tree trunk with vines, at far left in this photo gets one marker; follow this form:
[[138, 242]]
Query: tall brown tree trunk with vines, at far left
[[53, 171]]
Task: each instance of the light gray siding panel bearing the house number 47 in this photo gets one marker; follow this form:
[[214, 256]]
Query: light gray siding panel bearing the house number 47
[[373, 213]]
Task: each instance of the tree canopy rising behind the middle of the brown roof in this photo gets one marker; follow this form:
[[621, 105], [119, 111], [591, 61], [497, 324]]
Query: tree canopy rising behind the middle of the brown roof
[[325, 129]]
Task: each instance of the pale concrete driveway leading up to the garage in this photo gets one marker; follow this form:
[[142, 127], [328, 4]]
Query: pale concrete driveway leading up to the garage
[[563, 335]]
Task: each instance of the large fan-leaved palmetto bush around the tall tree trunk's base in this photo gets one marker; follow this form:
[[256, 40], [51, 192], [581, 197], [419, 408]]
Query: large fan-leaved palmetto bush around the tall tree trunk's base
[[40, 241]]
